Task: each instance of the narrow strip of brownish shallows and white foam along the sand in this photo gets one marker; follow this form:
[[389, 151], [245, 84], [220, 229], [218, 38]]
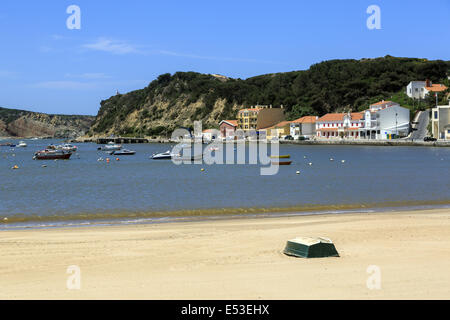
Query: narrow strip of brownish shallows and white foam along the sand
[[94, 220]]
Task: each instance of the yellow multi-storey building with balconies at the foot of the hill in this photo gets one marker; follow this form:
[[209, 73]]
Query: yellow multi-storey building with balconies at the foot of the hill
[[259, 117]]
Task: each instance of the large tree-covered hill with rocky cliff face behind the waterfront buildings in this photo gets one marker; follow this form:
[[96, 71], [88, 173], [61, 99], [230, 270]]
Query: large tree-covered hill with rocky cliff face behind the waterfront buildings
[[180, 99]]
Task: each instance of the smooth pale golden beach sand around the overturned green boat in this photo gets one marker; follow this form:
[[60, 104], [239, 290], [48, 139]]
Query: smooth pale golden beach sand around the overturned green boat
[[233, 259]]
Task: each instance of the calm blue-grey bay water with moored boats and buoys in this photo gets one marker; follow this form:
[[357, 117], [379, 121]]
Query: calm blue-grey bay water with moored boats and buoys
[[135, 186]]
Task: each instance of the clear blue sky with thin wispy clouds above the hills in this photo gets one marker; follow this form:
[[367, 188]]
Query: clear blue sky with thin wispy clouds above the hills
[[124, 45]]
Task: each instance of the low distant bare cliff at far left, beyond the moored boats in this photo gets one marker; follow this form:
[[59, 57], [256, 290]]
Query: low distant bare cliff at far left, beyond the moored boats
[[26, 124]]
